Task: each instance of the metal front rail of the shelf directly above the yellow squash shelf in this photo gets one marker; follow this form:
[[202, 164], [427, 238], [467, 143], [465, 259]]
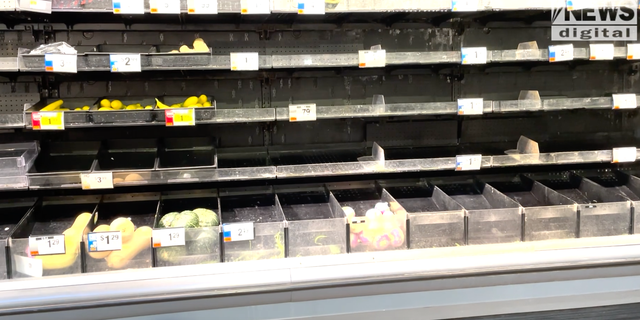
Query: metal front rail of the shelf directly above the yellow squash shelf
[[207, 61]]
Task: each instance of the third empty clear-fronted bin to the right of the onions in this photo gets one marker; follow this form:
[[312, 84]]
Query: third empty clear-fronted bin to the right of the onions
[[547, 214]]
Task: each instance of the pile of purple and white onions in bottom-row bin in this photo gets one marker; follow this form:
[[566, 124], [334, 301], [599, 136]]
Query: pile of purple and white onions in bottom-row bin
[[380, 229]]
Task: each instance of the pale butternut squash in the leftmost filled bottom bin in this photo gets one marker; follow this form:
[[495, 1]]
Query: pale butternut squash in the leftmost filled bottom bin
[[72, 238]]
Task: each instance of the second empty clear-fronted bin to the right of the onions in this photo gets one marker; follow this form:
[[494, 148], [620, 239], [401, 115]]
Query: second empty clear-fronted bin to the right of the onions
[[492, 217]]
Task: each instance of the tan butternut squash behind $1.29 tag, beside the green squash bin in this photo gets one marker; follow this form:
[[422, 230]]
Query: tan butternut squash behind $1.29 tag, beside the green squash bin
[[134, 241]]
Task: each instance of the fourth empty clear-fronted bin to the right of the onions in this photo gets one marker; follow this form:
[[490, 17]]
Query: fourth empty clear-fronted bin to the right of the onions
[[602, 211]]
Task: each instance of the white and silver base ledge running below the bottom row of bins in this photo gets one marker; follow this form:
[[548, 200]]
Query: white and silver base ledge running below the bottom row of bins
[[526, 277]]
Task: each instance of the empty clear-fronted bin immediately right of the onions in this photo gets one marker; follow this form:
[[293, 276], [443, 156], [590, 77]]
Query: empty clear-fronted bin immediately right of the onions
[[435, 220]]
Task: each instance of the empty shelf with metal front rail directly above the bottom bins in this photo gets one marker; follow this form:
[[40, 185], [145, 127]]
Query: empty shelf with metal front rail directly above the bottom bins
[[64, 169]]
